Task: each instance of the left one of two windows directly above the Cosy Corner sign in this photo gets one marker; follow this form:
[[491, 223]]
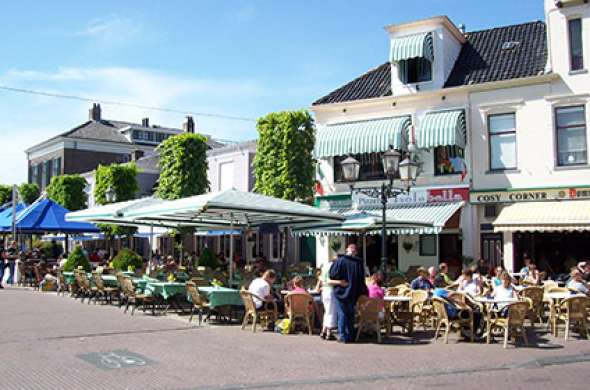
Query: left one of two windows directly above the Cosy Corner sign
[[502, 136]]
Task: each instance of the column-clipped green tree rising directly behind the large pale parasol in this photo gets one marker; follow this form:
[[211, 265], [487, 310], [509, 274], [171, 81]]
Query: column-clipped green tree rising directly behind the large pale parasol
[[183, 166]]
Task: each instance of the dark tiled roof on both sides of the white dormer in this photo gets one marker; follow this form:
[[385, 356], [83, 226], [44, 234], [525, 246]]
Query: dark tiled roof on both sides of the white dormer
[[481, 60]]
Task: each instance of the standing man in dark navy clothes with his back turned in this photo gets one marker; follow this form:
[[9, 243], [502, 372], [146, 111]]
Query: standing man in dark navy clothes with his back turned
[[349, 271]]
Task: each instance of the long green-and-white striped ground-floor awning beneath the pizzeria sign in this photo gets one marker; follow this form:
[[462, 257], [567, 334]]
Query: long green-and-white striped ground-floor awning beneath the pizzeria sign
[[401, 219]]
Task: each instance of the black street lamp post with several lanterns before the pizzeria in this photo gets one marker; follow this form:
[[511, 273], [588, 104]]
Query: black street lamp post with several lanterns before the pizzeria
[[408, 172]]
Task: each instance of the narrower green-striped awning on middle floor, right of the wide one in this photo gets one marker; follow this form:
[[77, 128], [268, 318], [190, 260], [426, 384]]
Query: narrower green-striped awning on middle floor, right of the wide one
[[442, 128]]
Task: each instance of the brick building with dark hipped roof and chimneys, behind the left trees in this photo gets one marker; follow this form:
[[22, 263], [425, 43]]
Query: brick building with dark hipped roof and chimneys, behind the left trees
[[97, 141]]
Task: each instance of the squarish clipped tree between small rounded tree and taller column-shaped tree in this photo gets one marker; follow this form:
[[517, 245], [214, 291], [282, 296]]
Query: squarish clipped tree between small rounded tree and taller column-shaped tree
[[122, 179]]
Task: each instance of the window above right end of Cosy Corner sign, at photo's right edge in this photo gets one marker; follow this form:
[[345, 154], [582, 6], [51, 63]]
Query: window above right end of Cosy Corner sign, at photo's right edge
[[571, 135]]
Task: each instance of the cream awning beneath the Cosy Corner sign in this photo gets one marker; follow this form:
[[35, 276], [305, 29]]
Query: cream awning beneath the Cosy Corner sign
[[566, 216]]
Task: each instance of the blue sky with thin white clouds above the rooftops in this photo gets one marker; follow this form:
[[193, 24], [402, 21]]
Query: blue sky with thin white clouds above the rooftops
[[227, 57]]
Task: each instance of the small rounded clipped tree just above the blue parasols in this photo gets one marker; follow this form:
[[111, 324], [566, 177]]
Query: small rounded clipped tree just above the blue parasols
[[68, 191]]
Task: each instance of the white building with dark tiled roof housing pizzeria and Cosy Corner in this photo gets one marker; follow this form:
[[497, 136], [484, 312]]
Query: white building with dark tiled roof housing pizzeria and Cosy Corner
[[500, 121]]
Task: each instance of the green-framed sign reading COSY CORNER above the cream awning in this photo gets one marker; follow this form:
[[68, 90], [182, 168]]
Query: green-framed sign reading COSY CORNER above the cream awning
[[533, 195]]
